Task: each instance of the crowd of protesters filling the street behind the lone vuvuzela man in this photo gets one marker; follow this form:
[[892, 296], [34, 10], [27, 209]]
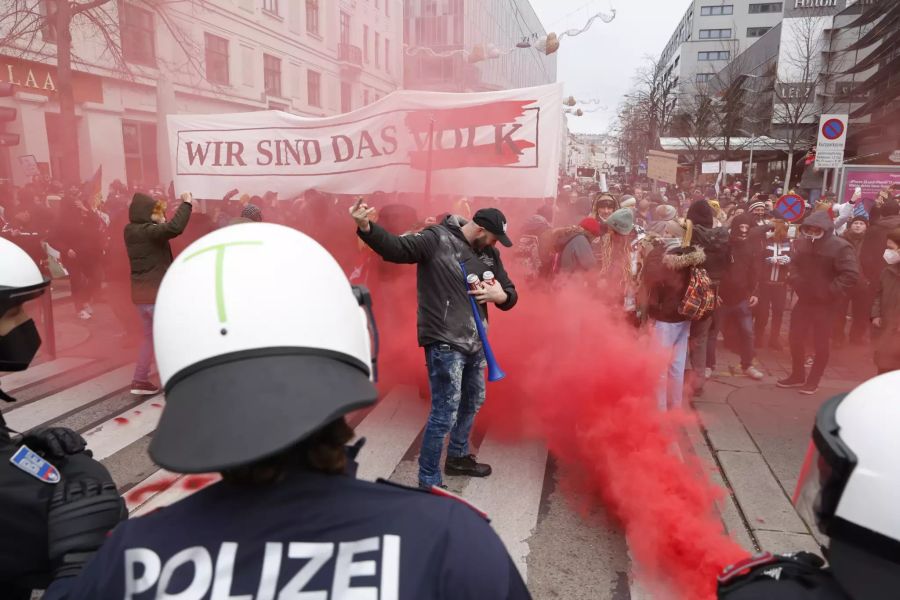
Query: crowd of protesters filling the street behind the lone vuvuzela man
[[651, 254]]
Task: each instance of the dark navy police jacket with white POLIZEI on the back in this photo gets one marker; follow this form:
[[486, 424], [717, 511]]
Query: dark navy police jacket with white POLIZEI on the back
[[309, 535]]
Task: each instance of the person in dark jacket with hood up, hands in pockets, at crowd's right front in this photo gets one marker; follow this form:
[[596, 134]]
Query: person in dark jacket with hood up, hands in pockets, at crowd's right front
[[824, 270]]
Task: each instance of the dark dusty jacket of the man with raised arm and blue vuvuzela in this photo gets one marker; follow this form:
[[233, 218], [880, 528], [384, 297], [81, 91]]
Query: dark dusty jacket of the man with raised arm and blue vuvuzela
[[445, 313]]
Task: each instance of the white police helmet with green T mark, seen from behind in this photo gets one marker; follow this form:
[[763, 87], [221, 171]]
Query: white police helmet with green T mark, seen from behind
[[260, 341]]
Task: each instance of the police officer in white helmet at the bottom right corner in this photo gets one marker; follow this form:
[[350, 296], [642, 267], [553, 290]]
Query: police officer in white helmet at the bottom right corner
[[849, 487]]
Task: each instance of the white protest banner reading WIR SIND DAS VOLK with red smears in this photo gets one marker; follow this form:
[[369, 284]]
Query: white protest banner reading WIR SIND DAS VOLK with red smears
[[502, 143]]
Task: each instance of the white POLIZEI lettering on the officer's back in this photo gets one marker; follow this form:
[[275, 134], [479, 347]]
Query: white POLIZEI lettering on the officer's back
[[367, 569]]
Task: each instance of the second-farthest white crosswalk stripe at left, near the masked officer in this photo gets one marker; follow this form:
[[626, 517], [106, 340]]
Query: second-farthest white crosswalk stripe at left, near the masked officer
[[54, 406]]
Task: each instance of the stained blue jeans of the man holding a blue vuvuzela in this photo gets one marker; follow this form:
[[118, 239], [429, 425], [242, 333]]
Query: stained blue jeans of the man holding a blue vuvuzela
[[457, 392]]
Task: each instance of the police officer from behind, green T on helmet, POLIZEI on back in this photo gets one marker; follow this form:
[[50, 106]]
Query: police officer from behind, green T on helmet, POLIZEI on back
[[263, 348]]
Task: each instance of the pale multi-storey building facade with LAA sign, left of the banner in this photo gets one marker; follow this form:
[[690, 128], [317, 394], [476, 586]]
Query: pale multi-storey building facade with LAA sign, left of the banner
[[306, 57]]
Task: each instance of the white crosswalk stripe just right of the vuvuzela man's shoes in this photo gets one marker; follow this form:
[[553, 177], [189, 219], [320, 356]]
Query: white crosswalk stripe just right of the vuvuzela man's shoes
[[511, 496]]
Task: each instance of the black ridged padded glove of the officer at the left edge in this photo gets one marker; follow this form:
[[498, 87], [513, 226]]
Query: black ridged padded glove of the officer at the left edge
[[82, 513]]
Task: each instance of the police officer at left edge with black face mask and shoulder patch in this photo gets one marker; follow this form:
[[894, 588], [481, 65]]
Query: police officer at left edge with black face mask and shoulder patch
[[36, 465]]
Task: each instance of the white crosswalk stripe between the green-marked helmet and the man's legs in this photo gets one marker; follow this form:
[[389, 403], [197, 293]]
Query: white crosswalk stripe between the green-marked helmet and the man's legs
[[403, 414]]
